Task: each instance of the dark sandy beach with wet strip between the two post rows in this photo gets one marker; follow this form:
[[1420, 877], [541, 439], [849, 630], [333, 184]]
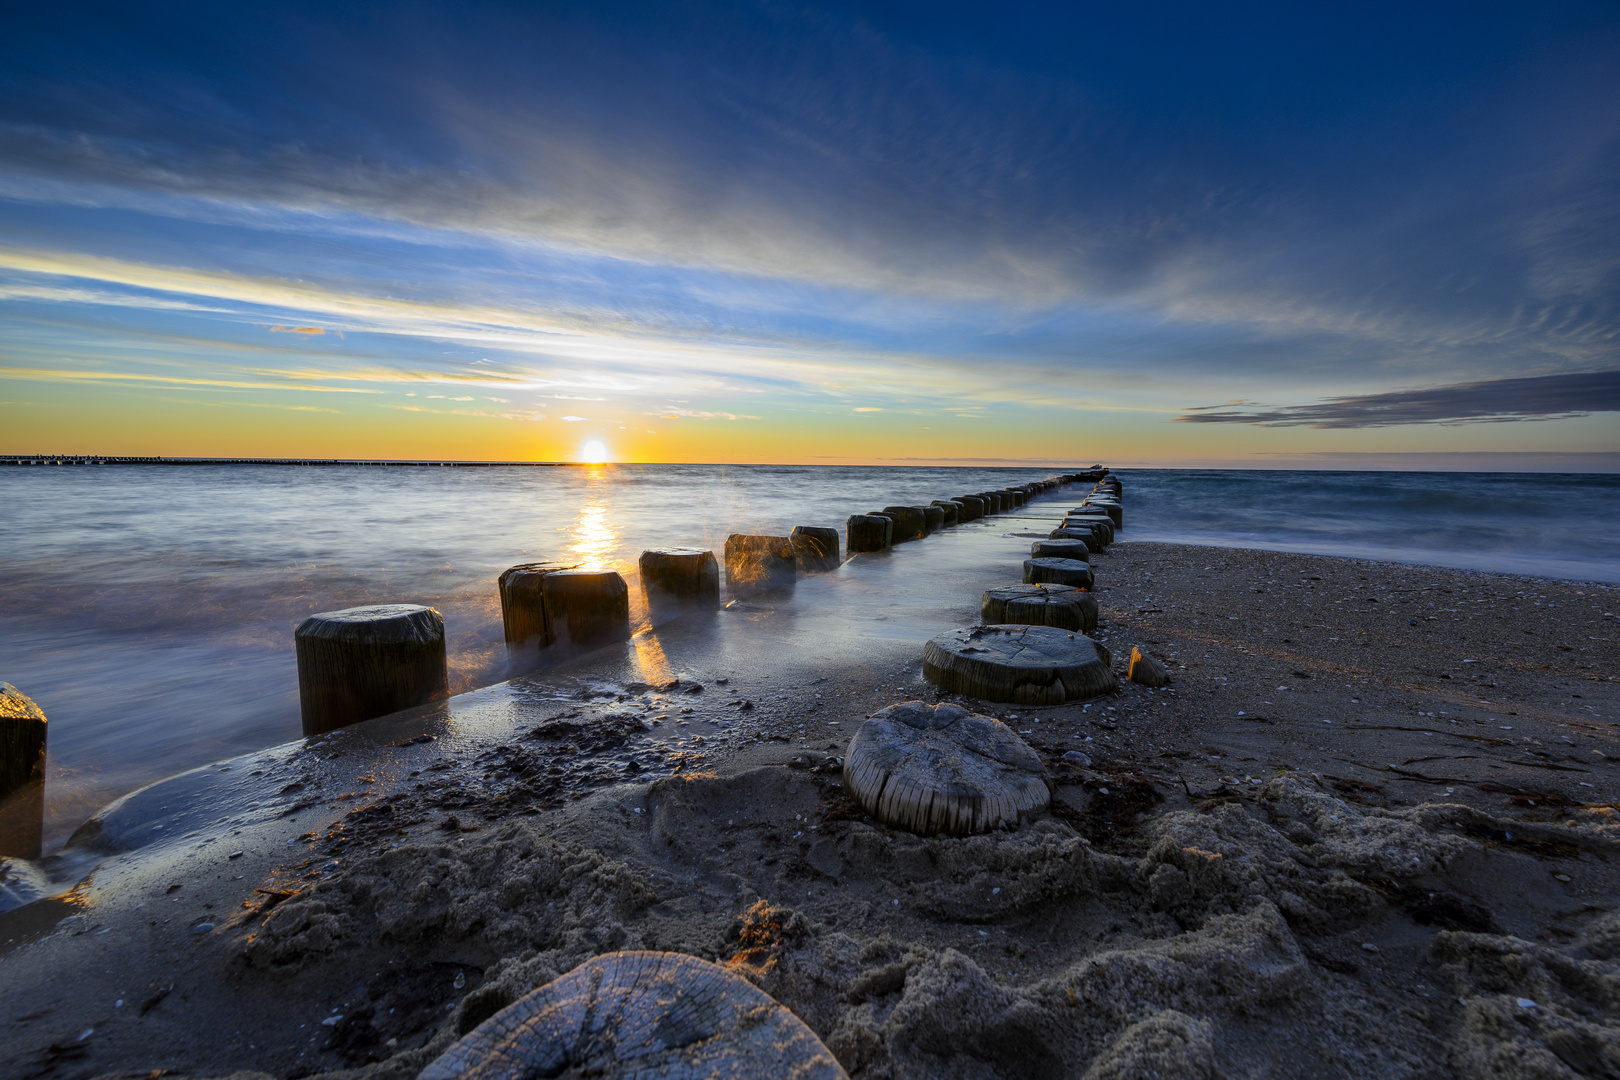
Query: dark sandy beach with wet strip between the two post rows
[[1370, 831]]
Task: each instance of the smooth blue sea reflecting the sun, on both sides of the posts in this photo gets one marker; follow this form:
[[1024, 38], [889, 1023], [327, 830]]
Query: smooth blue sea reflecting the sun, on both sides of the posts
[[150, 610]]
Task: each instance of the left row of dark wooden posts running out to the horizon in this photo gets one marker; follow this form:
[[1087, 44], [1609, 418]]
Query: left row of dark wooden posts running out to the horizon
[[370, 661]]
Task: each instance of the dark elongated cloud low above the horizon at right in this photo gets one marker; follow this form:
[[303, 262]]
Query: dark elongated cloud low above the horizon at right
[[1486, 402]]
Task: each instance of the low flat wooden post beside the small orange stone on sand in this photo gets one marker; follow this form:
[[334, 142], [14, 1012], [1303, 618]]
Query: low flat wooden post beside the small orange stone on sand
[[1021, 665]]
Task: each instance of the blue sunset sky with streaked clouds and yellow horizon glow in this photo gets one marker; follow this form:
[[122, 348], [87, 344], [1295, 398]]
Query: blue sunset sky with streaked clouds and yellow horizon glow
[[1243, 234]]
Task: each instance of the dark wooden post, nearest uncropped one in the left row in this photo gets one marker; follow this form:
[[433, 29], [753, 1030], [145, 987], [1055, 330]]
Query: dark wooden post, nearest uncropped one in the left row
[[370, 661]]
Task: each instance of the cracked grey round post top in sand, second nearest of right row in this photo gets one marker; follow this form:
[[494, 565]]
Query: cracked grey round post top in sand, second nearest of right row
[[942, 770]]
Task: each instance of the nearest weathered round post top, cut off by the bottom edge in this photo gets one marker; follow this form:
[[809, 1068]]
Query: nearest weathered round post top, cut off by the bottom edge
[[641, 1014]]
